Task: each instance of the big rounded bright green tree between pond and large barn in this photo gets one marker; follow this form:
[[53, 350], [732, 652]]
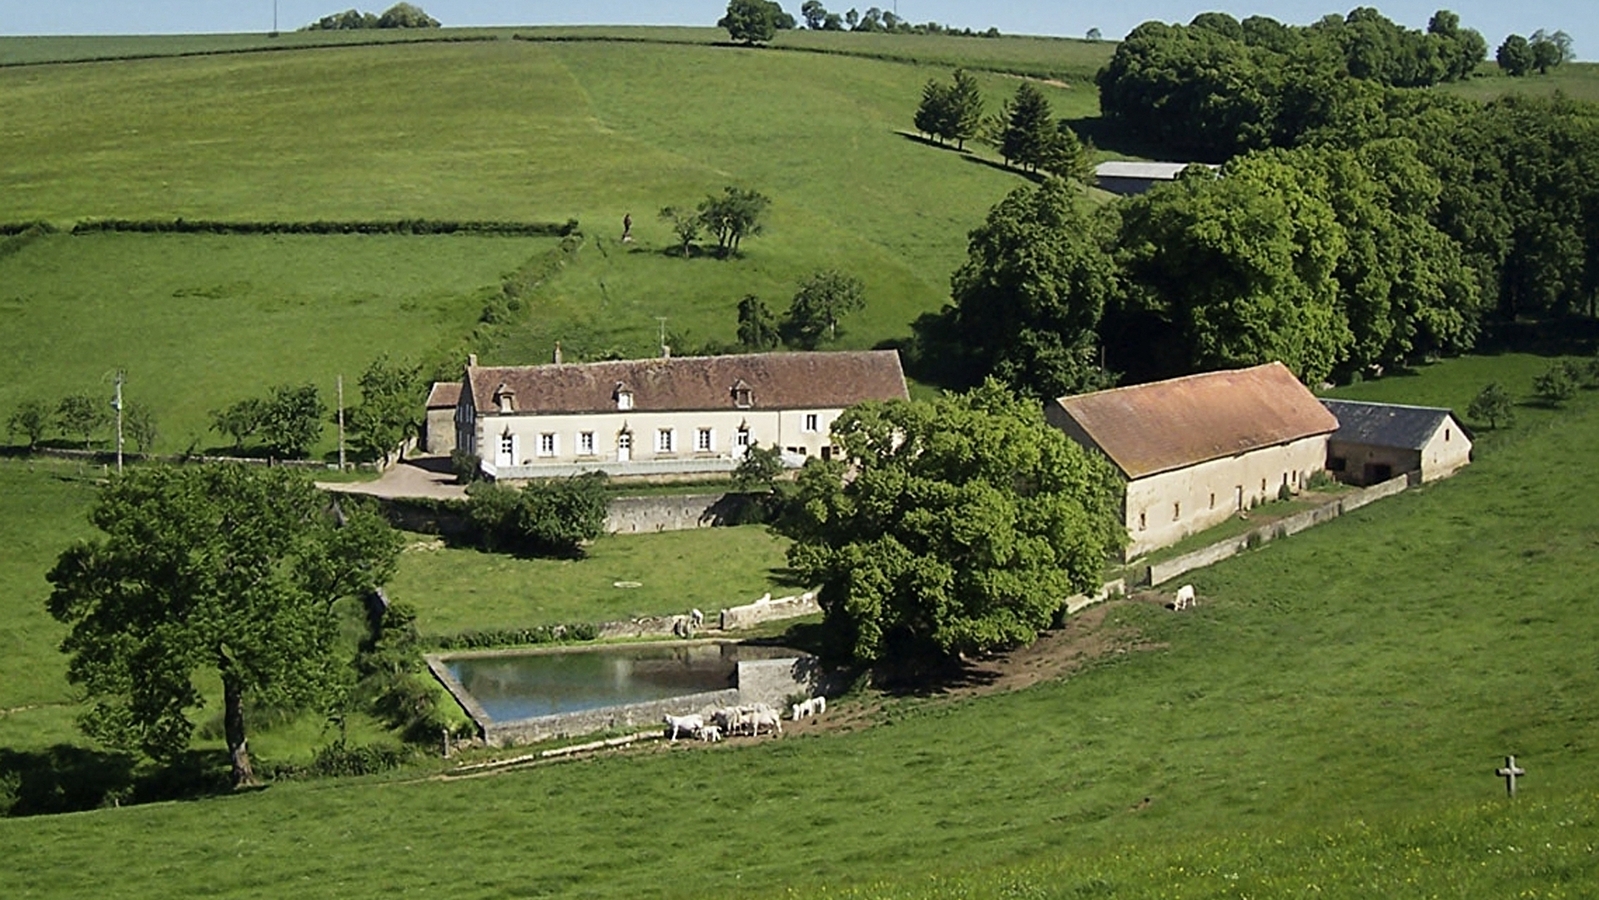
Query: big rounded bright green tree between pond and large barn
[[959, 527]]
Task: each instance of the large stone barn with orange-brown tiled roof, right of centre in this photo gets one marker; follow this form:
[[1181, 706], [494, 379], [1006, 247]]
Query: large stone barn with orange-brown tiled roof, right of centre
[[1202, 448]]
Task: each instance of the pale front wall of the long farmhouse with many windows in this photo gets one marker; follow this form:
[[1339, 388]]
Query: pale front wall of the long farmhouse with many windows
[[530, 440]]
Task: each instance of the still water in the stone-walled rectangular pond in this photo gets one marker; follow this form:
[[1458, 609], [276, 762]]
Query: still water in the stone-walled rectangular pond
[[525, 687]]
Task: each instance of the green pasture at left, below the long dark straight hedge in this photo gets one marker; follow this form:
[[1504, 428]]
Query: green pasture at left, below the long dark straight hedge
[[201, 322]]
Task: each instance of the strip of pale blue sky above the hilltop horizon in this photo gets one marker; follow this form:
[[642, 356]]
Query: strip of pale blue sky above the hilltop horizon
[[1494, 18]]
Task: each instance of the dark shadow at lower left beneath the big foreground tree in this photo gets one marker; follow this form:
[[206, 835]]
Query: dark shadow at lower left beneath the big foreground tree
[[74, 779]]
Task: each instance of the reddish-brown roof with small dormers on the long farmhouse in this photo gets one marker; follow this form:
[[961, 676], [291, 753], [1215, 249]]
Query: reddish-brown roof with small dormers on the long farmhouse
[[776, 381]]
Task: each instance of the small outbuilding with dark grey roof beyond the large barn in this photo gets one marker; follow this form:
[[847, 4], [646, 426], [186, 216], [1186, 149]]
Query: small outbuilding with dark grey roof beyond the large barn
[[1378, 442]]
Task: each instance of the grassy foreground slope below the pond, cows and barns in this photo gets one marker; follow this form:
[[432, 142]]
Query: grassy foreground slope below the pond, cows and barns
[[1371, 671]]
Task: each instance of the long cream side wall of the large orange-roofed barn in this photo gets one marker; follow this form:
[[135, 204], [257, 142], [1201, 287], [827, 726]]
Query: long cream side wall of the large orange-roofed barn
[[1170, 506]]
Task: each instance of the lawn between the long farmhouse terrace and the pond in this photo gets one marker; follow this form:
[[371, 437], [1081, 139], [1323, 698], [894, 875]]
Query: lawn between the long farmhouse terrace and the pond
[[458, 591]]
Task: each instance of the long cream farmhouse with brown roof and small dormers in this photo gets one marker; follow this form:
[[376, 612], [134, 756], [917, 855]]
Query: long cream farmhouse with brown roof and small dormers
[[671, 416]]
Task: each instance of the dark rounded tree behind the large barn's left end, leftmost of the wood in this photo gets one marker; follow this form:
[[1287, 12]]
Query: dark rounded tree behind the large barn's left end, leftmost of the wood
[[1032, 292]]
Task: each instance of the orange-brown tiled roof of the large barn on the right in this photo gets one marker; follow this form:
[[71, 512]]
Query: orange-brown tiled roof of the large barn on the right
[[1157, 428]]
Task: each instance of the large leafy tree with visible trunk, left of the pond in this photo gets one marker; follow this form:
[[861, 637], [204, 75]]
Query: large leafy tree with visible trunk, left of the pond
[[210, 568]]
